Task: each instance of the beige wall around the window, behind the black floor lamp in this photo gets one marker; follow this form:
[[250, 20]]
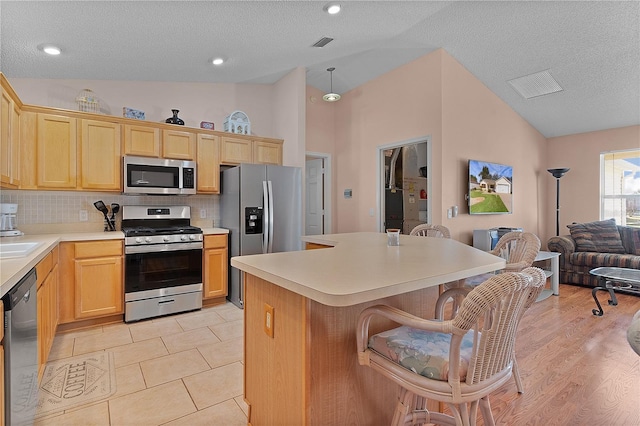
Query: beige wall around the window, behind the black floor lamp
[[580, 187]]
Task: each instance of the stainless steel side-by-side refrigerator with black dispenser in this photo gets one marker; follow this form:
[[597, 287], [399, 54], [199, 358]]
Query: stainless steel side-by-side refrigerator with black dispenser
[[261, 205]]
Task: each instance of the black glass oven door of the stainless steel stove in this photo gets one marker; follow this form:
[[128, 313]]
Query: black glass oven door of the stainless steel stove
[[161, 269]]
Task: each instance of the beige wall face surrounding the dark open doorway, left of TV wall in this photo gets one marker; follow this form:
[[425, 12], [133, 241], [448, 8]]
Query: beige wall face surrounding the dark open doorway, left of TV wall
[[401, 105]]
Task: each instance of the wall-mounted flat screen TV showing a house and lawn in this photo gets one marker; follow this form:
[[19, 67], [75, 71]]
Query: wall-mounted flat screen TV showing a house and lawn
[[490, 188]]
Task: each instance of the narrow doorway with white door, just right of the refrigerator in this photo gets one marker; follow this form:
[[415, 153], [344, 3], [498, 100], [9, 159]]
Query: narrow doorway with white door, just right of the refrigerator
[[317, 193]]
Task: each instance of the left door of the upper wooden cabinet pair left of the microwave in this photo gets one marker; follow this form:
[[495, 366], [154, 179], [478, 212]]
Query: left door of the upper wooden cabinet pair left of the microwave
[[56, 151]]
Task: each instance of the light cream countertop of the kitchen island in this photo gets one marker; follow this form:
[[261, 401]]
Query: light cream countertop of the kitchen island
[[360, 267]]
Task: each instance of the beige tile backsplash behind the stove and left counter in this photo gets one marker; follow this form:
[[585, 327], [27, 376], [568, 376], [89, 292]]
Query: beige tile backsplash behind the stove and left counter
[[51, 211]]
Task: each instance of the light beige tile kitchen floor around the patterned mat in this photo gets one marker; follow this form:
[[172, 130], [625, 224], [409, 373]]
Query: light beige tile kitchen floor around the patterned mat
[[183, 369]]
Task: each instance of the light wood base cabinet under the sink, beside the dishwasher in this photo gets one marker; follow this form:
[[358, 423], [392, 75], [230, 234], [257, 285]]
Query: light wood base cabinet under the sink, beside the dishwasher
[[47, 306]]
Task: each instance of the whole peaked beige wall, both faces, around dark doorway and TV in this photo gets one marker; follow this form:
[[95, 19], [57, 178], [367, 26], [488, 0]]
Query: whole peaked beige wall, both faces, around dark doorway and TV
[[435, 95]]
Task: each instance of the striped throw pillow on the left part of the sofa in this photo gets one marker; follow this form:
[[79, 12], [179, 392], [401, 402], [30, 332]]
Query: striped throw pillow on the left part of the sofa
[[601, 236]]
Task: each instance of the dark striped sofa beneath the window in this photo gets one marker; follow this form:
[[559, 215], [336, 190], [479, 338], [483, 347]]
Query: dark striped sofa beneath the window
[[592, 245]]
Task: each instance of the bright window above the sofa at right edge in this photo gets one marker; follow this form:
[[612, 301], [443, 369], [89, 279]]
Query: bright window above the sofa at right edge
[[620, 187]]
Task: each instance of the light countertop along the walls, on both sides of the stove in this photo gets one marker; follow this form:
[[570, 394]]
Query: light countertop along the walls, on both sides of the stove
[[13, 269]]
